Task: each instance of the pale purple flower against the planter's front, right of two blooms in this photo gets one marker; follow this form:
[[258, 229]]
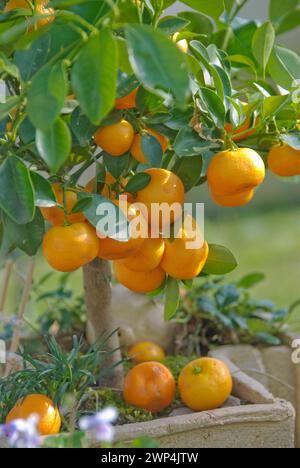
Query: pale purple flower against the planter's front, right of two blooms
[[100, 425]]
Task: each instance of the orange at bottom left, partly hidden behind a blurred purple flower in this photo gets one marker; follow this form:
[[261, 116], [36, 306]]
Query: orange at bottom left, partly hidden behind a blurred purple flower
[[48, 413]]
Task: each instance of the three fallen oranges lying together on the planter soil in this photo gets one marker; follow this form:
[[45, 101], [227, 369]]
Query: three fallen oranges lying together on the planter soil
[[204, 384]]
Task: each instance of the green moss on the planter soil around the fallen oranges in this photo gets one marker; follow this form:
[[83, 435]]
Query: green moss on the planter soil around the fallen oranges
[[100, 398]]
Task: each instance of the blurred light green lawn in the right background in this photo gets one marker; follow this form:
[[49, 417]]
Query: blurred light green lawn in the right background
[[264, 242]]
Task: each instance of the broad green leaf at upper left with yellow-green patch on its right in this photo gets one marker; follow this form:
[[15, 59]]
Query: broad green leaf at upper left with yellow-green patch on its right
[[46, 95]]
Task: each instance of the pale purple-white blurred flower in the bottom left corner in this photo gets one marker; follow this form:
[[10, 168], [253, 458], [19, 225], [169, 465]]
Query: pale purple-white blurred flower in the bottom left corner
[[22, 433]]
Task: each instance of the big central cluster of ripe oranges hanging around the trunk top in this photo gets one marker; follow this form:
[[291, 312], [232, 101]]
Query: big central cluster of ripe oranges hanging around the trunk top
[[142, 262]]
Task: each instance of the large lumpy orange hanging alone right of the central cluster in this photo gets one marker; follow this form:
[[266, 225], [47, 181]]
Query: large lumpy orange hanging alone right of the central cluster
[[233, 175]]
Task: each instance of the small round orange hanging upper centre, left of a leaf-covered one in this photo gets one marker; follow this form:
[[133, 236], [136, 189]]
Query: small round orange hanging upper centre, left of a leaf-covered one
[[115, 139]]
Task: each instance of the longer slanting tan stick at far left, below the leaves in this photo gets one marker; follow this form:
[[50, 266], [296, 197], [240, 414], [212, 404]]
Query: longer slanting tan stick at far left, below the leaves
[[17, 330]]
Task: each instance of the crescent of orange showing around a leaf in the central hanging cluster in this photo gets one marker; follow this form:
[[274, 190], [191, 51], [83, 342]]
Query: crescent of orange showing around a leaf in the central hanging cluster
[[112, 249]]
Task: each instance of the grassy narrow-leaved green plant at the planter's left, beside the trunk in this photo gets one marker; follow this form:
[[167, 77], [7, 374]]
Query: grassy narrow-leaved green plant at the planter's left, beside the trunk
[[66, 377]]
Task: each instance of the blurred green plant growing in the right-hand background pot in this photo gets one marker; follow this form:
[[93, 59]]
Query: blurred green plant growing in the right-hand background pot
[[215, 313]]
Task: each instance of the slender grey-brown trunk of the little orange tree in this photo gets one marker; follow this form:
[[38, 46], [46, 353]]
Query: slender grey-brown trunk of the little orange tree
[[97, 284]]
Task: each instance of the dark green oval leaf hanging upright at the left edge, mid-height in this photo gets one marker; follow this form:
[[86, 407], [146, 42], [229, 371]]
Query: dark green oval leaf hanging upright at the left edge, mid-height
[[16, 194]]
